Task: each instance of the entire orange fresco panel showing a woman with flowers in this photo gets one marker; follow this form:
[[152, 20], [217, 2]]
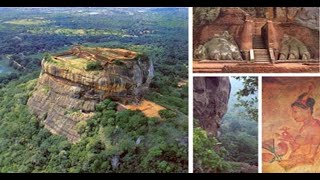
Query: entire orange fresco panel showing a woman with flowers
[[291, 126]]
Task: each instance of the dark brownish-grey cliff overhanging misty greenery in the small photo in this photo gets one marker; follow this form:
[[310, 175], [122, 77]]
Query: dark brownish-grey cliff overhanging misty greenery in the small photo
[[210, 101]]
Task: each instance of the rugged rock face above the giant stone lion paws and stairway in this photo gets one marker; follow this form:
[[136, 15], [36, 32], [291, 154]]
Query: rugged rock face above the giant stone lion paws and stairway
[[305, 16]]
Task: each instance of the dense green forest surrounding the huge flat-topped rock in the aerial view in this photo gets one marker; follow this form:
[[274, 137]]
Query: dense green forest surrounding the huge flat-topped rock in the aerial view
[[112, 141]]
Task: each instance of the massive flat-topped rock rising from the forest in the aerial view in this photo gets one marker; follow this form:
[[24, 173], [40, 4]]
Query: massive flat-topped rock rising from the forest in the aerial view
[[67, 91]]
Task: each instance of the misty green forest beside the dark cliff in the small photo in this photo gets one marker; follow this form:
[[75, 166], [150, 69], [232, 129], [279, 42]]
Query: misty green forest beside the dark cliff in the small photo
[[236, 147]]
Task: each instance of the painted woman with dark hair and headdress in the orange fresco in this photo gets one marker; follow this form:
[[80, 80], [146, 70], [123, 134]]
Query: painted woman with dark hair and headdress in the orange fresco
[[305, 143]]
